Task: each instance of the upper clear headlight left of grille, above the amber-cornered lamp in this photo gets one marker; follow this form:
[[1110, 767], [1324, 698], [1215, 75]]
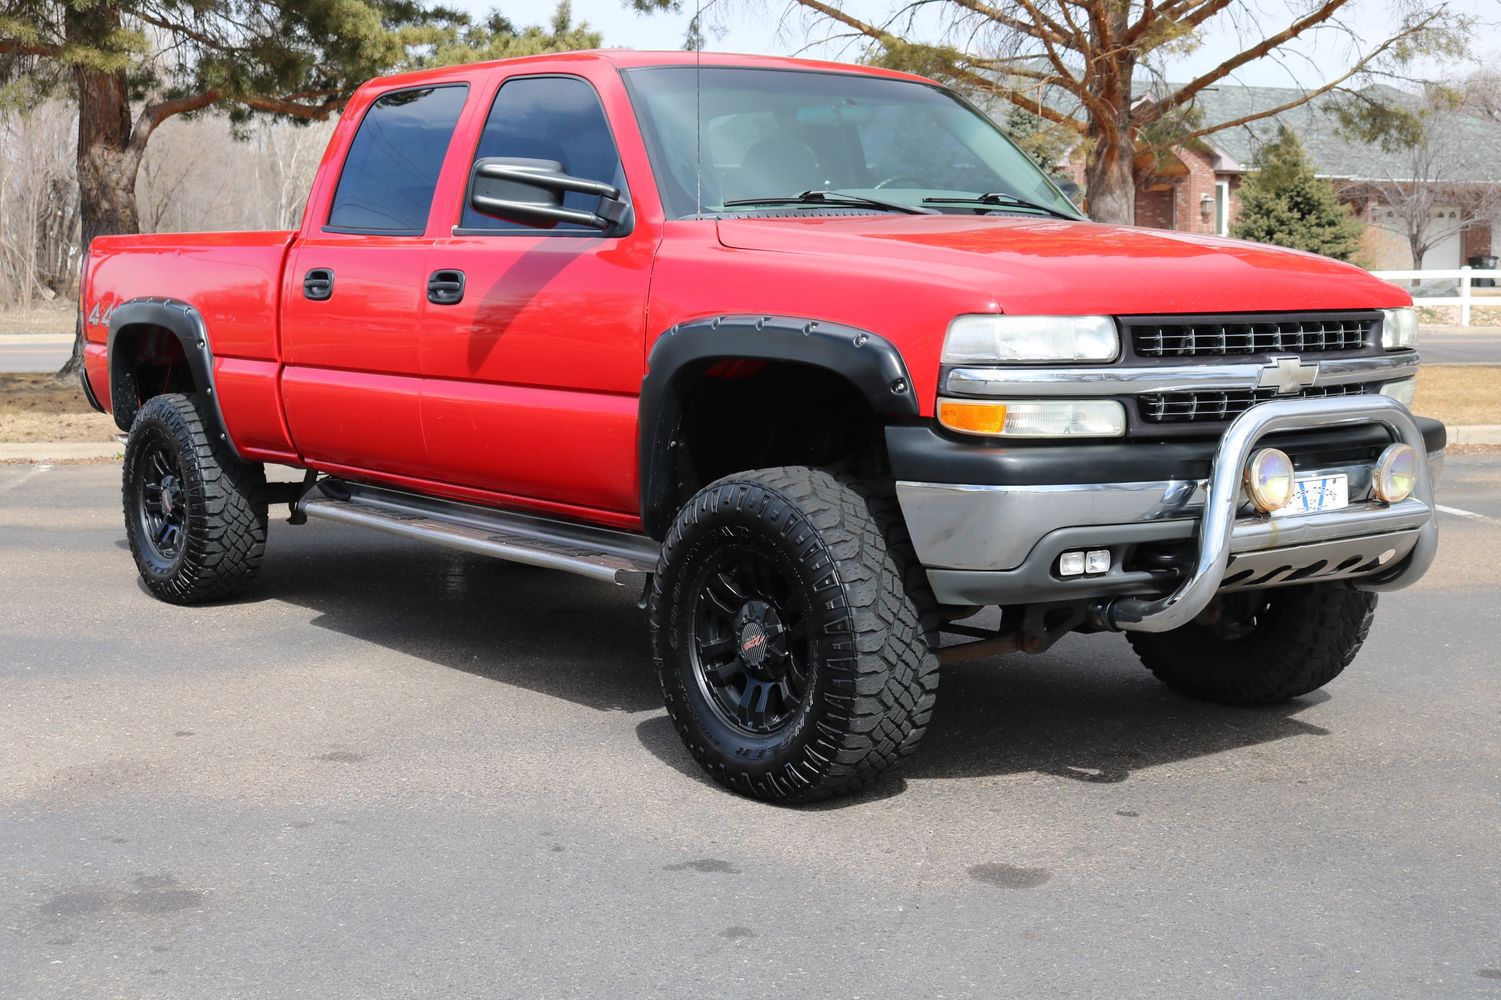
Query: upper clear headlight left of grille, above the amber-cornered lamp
[[1030, 340]]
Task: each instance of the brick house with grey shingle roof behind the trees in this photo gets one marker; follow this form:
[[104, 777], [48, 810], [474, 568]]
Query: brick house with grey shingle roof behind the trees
[[1196, 187]]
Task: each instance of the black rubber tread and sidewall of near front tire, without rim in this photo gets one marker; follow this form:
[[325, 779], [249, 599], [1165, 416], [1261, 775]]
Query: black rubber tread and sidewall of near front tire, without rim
[[873, 628]]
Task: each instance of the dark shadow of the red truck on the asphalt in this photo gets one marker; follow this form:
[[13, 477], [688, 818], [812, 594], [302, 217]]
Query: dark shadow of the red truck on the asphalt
[[1087, 711]]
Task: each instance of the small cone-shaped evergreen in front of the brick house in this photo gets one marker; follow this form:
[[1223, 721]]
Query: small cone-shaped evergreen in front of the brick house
[[1284, 202]]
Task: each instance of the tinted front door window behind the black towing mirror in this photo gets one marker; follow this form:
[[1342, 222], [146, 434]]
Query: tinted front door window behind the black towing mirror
[[550, 118]]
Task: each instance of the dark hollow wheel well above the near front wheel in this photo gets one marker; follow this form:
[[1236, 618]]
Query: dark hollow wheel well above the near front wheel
[[738, 415]]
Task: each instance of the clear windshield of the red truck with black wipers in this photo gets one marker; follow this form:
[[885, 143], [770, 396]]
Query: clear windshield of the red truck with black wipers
[[769, 136]]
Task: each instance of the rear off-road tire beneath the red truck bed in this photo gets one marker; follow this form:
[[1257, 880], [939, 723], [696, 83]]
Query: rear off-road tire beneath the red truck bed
[[223, 514]]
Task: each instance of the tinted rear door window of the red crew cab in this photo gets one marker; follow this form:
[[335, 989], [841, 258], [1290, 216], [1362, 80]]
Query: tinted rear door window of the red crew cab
[[396, 160]]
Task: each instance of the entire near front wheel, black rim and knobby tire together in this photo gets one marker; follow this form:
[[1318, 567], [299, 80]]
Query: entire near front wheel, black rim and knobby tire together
[[792, 631]]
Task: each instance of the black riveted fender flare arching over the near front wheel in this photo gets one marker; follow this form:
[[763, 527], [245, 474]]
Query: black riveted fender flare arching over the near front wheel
[[868, 361]]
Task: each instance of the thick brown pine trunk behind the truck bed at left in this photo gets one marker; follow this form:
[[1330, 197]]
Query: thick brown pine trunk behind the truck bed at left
[[106, 164]]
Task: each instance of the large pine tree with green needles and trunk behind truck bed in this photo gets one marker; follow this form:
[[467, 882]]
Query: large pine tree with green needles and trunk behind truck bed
[[136, 64]]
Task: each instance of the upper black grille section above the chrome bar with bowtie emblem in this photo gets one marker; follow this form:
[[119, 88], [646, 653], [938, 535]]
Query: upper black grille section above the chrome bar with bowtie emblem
[[1212, 337]]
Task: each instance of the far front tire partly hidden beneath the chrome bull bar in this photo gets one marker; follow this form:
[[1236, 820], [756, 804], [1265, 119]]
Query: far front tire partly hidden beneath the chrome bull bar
[[1301, 640]]
